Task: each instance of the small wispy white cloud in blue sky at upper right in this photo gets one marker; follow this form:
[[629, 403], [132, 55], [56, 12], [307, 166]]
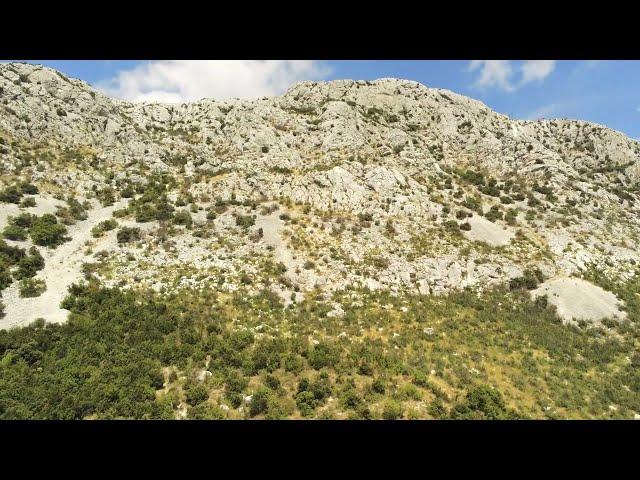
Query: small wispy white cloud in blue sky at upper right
[[500, 73]]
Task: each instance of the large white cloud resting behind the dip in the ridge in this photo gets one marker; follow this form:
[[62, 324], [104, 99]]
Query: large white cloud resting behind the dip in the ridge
[[191, 80]]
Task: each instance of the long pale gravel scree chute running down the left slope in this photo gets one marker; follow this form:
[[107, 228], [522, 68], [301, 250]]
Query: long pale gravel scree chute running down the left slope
[[62, 268]]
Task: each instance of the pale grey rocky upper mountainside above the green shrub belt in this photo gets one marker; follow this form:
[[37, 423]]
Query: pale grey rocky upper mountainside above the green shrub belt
[[383, 185]]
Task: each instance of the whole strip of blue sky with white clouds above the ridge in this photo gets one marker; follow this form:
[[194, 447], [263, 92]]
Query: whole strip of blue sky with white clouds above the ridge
[[605, 92]]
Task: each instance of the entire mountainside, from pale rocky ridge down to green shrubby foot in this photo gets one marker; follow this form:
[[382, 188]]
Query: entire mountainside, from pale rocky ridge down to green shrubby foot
[[349, 249]]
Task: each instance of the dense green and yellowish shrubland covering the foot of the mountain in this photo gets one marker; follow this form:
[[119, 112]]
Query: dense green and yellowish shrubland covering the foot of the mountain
[[499, 355]]
